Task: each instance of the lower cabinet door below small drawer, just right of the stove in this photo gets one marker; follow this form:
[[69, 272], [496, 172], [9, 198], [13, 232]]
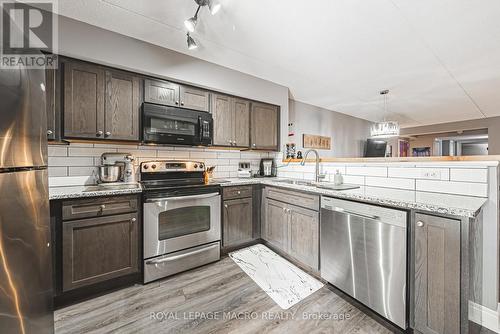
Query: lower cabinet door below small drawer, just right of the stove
[[238, 221]]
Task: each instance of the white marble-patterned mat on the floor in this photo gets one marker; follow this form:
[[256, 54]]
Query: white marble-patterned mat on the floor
[[282, 281]]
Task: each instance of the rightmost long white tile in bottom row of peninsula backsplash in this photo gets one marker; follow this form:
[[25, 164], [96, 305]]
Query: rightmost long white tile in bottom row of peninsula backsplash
[[457, 188]]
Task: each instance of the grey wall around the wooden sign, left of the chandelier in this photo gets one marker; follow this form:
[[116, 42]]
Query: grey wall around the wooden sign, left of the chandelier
[[348, 133]]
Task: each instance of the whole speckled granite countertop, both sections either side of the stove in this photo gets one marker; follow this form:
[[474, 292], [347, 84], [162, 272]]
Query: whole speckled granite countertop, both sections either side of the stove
[[463, 206]]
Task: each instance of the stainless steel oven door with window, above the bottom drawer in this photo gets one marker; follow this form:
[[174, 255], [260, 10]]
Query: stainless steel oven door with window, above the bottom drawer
[[175, 223]]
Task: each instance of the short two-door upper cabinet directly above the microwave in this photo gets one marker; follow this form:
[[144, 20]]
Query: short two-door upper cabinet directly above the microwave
[[172, 94]]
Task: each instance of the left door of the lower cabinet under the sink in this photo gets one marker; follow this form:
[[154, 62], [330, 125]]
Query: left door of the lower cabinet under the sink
[[276, 225]]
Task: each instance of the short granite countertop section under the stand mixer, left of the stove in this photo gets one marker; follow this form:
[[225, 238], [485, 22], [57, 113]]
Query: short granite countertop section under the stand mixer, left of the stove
[[69, 192]]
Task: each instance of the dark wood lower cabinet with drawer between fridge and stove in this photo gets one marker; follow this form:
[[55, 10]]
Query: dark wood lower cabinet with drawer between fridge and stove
[[98, 242]]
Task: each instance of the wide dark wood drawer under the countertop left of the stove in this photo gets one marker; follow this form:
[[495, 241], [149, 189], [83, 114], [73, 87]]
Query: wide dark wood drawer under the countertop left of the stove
[[100, 206]]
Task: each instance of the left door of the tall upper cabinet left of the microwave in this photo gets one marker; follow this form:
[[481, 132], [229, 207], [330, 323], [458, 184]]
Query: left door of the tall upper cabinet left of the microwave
[[83, 100]]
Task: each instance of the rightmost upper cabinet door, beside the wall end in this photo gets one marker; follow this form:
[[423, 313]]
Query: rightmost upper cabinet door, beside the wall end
[[264, 126]]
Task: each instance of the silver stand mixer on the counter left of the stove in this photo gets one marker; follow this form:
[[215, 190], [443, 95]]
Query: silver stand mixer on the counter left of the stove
[[117, 168]]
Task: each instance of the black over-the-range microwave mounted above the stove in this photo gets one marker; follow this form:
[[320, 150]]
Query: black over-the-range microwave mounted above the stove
[[177, 126]]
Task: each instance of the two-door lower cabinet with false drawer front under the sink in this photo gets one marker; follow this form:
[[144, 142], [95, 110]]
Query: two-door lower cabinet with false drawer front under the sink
[[293, 230]]
